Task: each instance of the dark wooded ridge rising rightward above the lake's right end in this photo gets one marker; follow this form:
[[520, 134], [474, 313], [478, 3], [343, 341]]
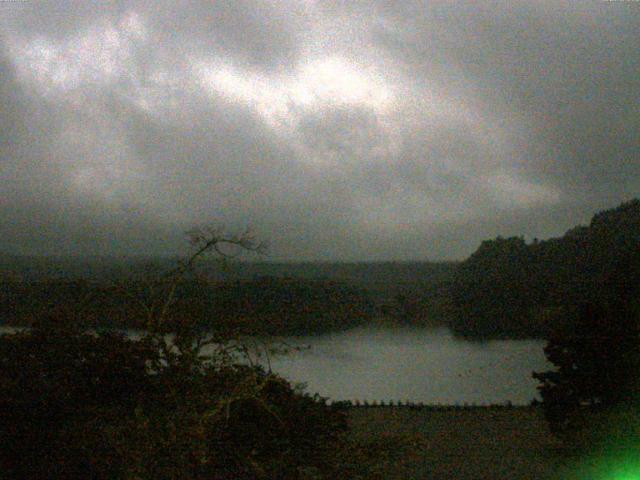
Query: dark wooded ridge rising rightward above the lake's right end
[[509, 288]]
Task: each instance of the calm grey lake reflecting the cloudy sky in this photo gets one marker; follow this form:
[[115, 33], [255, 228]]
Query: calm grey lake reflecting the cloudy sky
[[379, 363]]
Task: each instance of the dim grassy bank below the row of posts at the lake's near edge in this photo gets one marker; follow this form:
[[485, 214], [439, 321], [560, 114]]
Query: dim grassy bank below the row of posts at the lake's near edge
[[402, 443]]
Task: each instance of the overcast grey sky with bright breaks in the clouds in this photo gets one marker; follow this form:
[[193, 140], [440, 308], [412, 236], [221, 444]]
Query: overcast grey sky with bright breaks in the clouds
[[336, 130]]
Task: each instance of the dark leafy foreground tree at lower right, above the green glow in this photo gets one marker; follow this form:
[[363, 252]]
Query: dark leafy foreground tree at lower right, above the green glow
[[591, 398]]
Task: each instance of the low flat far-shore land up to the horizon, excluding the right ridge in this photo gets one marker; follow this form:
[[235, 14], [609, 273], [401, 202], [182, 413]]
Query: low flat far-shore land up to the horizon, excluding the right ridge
[[268, 292]]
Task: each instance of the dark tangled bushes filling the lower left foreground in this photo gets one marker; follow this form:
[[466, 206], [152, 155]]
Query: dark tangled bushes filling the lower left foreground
[[80, 405]]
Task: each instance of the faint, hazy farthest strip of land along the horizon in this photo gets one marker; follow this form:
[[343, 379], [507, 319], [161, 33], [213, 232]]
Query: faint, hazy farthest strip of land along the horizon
[[383, 280]]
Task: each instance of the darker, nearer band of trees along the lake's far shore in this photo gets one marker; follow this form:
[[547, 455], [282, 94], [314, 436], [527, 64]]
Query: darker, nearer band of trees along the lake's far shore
[[266, 305]]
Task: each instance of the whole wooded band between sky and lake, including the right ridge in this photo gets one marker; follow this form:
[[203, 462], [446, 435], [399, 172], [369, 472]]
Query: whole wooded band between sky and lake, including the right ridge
[[508, 288]]
